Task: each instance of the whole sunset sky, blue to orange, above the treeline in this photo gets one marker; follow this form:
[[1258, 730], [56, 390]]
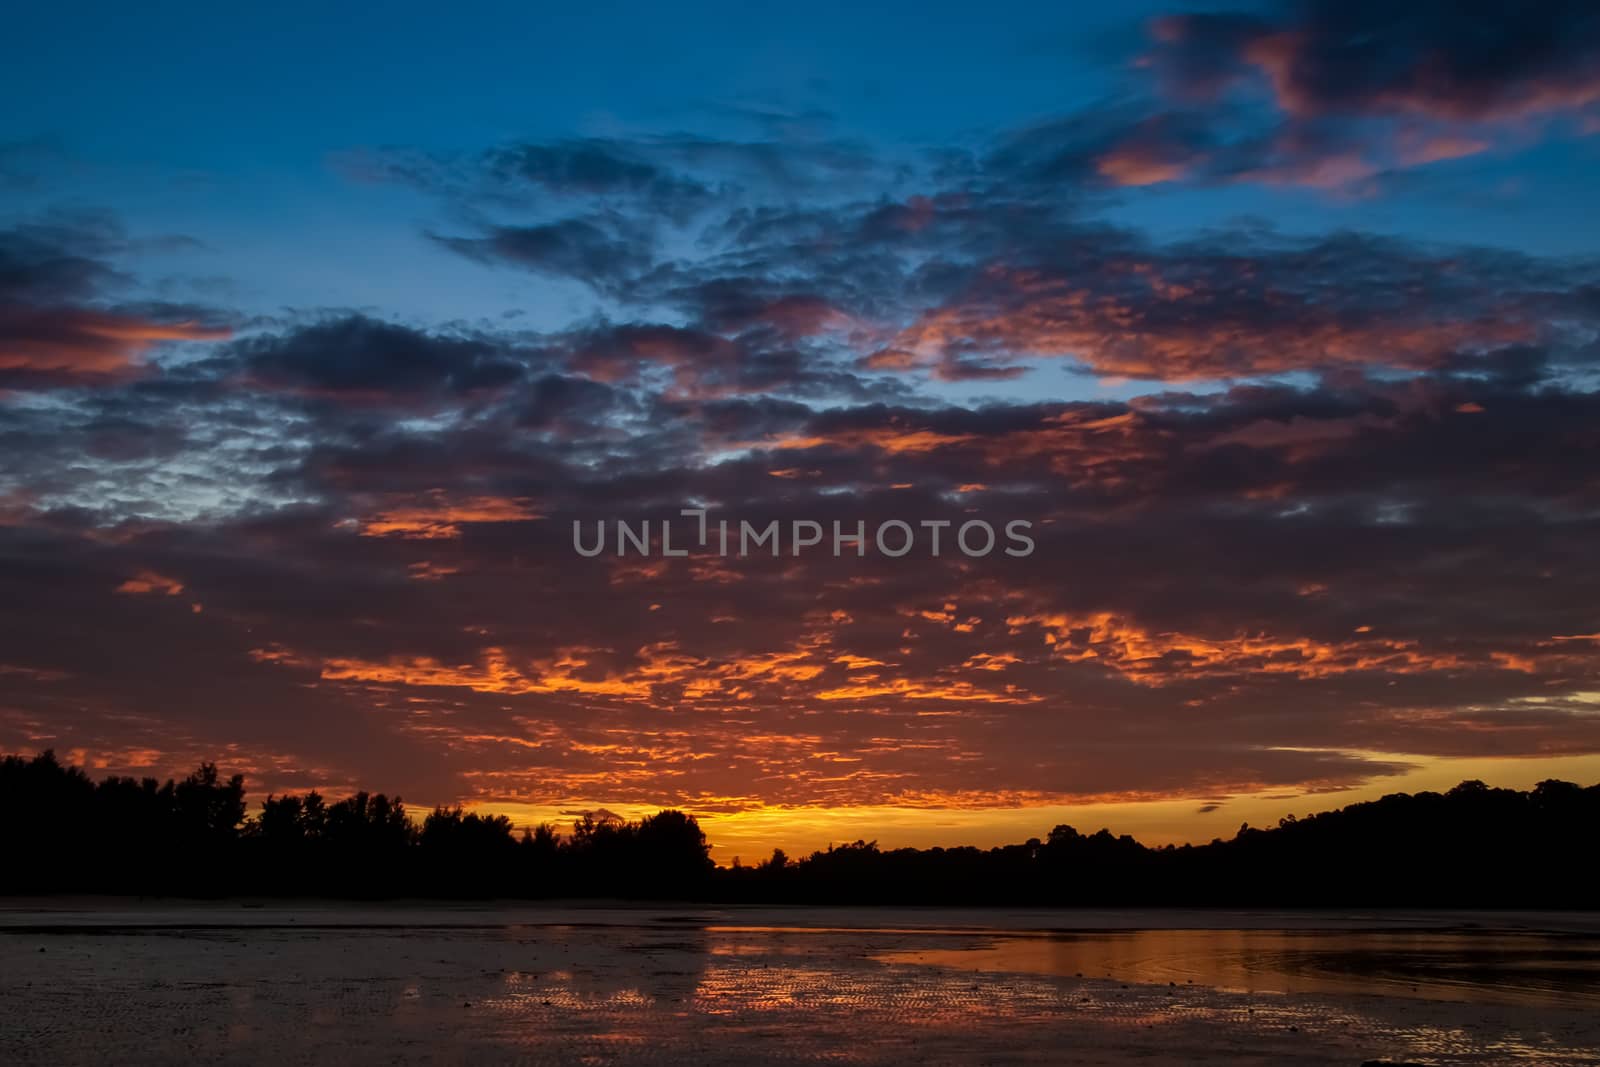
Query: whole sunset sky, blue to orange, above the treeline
[[1278, 324]]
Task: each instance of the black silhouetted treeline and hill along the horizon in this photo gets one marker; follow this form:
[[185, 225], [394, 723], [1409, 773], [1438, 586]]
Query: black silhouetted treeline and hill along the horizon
[[1471, 847]]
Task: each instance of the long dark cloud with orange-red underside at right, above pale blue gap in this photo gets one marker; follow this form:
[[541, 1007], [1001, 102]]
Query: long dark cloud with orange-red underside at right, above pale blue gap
[[1236, 306]]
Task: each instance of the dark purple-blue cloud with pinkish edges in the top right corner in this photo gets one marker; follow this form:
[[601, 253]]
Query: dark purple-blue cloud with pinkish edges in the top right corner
[[1334, 95]]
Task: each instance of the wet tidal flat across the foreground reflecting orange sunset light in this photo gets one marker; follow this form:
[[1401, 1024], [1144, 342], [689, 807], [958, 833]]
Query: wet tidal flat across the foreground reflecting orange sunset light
[[398, 985]]
